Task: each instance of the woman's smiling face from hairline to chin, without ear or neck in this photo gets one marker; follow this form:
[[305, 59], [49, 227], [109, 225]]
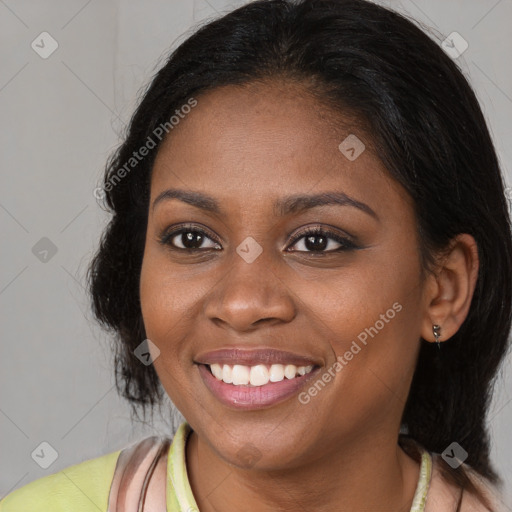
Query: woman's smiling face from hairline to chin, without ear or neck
[[256, 283]]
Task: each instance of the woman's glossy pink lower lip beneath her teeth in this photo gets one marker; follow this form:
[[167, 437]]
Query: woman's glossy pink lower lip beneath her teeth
[[254, 397]]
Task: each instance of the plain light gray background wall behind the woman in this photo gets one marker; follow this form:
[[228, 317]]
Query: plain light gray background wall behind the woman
[[60, 118]]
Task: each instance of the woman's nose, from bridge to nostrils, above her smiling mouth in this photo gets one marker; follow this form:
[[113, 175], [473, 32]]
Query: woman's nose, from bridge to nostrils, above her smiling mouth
[[250, 294]]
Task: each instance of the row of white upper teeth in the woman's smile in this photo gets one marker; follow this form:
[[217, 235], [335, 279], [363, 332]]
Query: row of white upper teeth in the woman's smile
[[258, 375]]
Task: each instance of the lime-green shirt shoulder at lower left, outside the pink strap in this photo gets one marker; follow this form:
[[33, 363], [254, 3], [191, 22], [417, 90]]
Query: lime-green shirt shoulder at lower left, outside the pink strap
[[82, 487]]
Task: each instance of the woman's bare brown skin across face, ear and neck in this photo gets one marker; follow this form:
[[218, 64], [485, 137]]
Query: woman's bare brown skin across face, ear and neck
[[247, 147]]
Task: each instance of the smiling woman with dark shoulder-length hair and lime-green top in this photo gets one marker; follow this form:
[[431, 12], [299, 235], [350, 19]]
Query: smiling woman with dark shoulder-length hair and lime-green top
[[310, 243]]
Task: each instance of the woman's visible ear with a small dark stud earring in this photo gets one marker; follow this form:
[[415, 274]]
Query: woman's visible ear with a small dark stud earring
[[450, 288]]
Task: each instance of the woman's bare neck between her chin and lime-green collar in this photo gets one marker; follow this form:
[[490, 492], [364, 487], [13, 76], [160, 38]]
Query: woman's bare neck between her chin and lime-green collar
[[367, 475]]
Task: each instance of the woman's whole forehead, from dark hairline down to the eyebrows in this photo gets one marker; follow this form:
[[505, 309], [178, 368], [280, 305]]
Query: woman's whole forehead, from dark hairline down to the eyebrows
[[264, 140]]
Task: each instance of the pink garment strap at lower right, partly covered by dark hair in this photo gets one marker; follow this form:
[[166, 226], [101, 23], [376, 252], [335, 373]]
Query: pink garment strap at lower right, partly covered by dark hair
[[444, 495]]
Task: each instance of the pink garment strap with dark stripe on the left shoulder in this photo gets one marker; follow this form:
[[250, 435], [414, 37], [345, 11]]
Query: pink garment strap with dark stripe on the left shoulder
[[139, 481]]
